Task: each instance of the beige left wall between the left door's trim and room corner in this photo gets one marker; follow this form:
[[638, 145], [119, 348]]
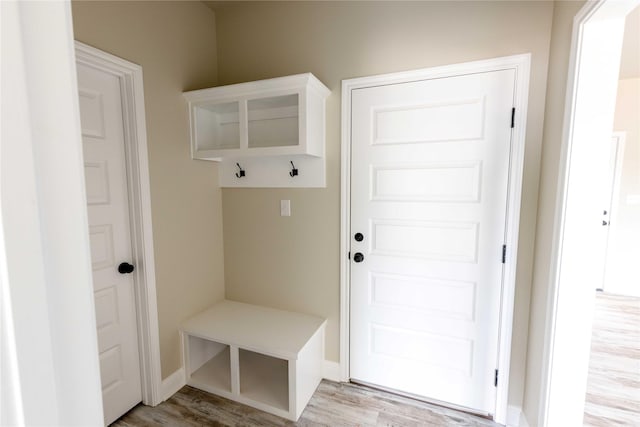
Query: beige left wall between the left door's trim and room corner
[[175, 43]]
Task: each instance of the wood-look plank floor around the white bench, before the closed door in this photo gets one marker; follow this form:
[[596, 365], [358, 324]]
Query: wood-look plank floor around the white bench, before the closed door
[[333, 404]]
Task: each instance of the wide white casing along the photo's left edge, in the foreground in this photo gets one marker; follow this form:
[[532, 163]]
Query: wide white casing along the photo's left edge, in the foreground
[[48, 337]]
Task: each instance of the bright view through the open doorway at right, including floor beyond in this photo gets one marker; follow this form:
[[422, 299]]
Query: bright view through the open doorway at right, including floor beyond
[[612, 396]]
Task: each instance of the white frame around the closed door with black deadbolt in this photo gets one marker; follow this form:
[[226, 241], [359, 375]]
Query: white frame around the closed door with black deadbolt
[[521, 65]]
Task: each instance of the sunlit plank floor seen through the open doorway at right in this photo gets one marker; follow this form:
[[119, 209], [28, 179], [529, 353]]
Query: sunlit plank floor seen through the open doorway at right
[[613, 389]]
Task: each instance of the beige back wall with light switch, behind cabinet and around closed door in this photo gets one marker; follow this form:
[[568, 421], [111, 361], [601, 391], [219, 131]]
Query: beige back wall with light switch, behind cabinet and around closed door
[[293, 263]]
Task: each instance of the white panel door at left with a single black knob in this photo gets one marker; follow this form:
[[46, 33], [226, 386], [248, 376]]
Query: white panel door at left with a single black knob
[[107, 204]]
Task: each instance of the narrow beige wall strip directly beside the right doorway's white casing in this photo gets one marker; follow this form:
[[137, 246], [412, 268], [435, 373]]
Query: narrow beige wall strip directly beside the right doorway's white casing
[[563, 14]]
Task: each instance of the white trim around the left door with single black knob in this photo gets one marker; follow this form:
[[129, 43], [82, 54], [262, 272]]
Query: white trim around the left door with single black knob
[[137, 166]]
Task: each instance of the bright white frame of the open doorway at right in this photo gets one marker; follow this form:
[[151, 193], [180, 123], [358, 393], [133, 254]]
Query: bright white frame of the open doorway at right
[[589, 111]]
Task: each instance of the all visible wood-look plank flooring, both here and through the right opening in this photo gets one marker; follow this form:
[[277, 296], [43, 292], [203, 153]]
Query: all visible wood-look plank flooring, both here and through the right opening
[[613, 391]]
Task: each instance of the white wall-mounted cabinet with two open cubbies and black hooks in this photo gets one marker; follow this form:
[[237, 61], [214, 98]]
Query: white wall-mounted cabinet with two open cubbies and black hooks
[[281, 119]]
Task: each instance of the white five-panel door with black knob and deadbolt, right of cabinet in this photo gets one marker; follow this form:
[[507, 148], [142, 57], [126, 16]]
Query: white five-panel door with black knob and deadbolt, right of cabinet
[[430, 167]]
